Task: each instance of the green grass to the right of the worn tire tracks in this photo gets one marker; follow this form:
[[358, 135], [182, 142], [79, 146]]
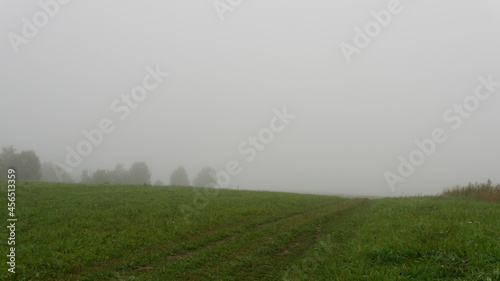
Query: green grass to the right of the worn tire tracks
[[426, 238]]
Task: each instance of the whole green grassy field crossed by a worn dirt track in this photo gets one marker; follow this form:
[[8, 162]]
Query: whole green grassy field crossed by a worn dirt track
[[107, 232]]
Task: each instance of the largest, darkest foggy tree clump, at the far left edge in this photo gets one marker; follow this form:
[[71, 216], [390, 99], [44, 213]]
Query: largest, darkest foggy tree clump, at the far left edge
[[26, 164]]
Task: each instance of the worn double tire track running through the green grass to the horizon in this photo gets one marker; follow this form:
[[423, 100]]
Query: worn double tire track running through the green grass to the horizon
[[236, 256]]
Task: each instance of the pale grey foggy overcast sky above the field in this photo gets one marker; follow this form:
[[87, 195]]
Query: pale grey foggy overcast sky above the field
[[228, 77]]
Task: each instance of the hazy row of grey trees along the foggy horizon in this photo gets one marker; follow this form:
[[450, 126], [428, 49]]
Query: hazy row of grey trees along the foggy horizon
[[28, 168]]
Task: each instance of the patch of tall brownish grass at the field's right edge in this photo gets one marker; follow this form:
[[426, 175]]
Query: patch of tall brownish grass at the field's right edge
[[482, 191]]
